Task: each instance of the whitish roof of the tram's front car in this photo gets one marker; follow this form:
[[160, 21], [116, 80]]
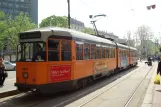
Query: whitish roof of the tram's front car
[[48, 31]]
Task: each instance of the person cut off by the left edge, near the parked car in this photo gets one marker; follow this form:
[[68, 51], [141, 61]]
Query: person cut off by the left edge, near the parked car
[[2, 71]]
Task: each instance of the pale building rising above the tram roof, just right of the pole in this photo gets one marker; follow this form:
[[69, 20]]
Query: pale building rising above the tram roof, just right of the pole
[[76, 24]]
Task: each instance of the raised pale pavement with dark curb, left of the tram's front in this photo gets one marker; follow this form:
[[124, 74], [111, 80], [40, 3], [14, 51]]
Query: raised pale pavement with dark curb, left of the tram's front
[[8, 89]]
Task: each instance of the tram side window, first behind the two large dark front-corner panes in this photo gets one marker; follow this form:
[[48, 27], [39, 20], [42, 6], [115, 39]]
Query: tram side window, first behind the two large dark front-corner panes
[[79, 51]]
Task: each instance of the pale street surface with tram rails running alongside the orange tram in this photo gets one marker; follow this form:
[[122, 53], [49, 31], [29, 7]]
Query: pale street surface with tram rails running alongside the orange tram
[[125, 89]]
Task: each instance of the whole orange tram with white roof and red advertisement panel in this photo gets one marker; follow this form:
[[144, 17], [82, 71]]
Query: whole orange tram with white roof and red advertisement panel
[[55, 59]]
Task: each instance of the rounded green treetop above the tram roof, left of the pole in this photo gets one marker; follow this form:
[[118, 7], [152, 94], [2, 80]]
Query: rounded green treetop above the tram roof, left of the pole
[[58, 21]]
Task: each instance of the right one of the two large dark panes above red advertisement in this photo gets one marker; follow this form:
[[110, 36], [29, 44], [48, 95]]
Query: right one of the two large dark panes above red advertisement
[[66, 50]]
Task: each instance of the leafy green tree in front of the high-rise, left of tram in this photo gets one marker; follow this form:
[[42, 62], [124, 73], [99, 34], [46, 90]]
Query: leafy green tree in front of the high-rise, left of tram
[[11, 28]]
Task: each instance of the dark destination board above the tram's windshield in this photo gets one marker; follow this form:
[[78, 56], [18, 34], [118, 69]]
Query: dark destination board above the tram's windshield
[[30, 35]]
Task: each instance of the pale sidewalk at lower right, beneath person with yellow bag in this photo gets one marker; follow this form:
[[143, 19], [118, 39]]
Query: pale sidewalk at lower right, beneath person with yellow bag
[[153, 94]]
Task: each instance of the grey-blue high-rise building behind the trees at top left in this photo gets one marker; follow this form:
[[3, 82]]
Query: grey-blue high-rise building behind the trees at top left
[[14, 7]]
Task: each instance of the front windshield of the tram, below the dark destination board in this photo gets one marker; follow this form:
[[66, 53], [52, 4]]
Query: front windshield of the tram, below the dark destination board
[[32, 52]]
